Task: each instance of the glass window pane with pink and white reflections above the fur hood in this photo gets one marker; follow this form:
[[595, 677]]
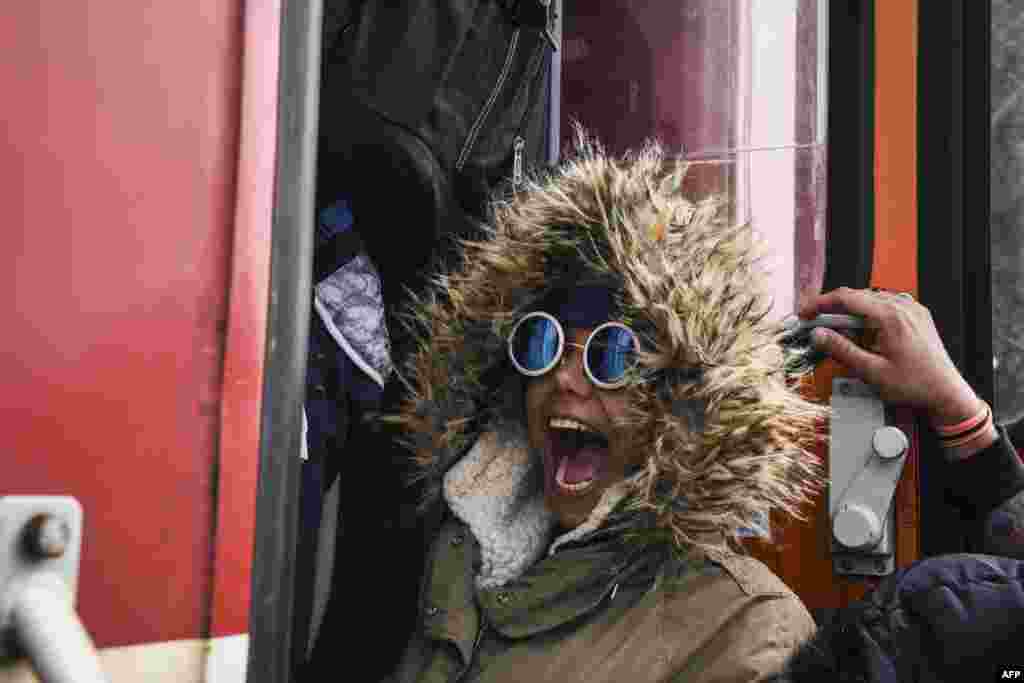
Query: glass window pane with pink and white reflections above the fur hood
[[738, 87]]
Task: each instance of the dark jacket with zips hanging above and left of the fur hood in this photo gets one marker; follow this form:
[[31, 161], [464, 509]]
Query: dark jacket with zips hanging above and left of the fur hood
[[428, 106]]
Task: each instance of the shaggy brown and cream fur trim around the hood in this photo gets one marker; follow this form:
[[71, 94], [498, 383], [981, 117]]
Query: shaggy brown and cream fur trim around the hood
[[715, 407]]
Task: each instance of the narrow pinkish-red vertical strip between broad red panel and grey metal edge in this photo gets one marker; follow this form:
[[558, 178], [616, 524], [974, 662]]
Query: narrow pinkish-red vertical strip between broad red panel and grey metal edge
[[242, 389]]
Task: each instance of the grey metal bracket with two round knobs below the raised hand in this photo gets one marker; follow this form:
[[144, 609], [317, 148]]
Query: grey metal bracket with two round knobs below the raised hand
[[867, 459]]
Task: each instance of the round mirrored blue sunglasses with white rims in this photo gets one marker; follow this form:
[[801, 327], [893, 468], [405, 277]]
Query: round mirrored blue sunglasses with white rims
[[537, 345]]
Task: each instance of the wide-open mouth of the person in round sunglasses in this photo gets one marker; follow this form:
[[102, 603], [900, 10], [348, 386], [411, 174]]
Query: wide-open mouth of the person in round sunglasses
[[576, 456]]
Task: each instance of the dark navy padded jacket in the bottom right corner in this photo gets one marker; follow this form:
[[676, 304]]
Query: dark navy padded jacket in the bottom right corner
[[948, 619]]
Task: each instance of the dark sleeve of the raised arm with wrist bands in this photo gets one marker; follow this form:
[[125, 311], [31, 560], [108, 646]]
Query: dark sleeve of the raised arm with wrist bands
[[990, 489]]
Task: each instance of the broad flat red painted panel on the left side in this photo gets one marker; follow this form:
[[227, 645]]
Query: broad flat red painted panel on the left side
[[119, 174]]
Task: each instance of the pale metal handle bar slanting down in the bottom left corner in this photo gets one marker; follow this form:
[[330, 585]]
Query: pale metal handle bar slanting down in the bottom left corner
[[47, 629]]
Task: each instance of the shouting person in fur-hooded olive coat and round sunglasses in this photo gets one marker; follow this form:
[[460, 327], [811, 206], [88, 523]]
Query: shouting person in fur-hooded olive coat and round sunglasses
[[601, 409]]
